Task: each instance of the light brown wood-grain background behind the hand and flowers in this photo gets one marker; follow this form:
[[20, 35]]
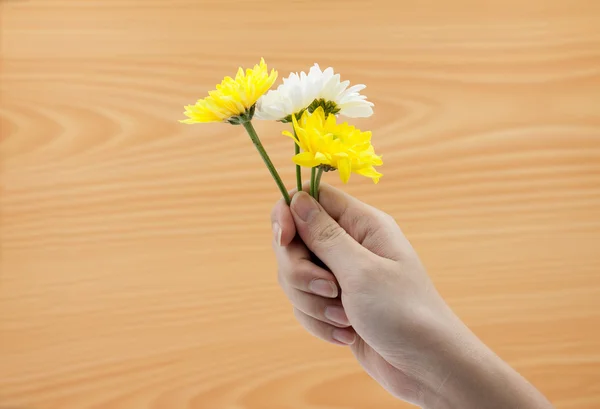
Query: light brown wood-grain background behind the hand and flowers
[[136, 269]]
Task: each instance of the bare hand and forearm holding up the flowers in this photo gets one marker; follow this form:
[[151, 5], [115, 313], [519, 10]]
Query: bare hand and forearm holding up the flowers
[[354, 280]]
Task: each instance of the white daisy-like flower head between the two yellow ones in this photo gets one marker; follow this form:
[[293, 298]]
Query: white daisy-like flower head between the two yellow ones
[[300, 92]]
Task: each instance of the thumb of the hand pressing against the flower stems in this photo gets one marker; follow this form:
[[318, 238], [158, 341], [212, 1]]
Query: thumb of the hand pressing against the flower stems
[[325, 237]]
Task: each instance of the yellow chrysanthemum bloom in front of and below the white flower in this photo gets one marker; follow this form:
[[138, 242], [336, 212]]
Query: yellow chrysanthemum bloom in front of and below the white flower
[[334, 146]]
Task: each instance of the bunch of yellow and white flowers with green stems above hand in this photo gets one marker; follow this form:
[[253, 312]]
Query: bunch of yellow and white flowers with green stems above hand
[[311, 103]]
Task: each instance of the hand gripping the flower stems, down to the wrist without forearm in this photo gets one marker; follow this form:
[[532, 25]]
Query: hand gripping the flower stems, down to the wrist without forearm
[[389, 311]]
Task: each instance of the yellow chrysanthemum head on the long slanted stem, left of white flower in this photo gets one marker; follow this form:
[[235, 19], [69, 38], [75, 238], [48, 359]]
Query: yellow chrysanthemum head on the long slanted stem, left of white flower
[[234, 99]]
